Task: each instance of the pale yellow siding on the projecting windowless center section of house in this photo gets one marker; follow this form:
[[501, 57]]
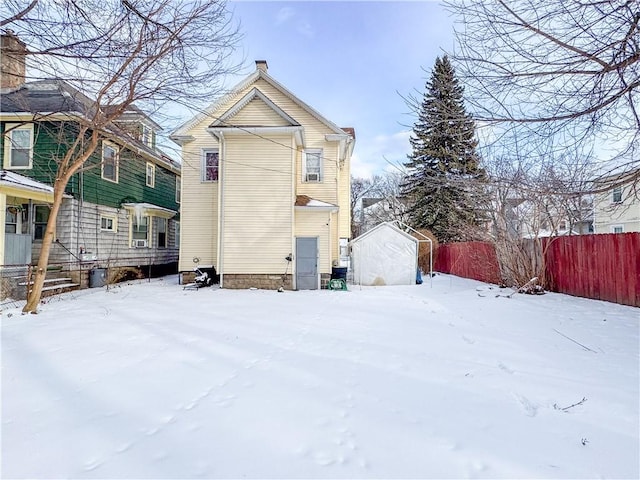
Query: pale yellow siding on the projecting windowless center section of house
[[258, 203]]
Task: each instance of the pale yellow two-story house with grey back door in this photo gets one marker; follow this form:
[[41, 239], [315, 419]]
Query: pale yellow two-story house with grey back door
[[265, 188]]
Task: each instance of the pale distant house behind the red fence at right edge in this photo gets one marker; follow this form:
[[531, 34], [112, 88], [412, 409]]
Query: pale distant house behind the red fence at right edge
[[617, 206]]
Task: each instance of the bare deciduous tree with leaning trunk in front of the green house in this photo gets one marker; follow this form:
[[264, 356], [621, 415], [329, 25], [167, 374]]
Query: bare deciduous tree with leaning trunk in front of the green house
[[148, 52]]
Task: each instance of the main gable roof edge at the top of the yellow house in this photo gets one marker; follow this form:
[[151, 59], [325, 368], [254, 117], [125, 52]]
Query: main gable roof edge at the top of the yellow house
[[258, 74]]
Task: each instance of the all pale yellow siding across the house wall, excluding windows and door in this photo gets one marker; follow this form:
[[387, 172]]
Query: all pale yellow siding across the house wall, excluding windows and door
[[252, 194]]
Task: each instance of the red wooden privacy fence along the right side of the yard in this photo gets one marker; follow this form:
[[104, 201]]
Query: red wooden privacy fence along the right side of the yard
[[602, 267]]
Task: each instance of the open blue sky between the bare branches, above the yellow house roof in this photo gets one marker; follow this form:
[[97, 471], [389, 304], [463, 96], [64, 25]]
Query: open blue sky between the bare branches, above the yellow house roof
[[351, 61]]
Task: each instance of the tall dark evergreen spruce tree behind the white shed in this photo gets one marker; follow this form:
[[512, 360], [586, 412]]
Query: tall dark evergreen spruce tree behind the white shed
[[444, 175]]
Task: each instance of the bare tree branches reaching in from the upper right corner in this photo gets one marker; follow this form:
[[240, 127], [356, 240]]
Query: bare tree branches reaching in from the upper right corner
[[565, 71]]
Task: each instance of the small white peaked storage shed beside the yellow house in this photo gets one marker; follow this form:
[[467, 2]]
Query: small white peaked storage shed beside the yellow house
[[385, 255]]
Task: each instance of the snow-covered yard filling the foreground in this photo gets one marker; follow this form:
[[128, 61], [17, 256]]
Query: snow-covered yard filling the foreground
[[149, 381]]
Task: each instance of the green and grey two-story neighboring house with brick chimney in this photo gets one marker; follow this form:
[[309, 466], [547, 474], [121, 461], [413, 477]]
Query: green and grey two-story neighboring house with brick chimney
[[119, 213]]
